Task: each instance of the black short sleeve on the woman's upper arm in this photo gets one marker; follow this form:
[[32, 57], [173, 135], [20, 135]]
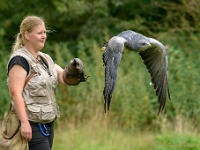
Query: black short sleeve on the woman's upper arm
[[19, 61]]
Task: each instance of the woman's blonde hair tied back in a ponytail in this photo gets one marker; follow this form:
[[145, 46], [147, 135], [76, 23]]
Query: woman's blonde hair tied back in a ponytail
[[27, 24]]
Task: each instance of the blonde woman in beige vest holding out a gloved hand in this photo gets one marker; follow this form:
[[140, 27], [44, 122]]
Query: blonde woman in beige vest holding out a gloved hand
[[35, 104]]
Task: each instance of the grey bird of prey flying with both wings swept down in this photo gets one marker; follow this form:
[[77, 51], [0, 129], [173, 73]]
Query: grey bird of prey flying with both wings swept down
[[153, 54]]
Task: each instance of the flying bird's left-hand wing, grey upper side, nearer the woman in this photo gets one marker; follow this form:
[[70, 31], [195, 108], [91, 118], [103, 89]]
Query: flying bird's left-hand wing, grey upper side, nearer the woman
[[111, 59]]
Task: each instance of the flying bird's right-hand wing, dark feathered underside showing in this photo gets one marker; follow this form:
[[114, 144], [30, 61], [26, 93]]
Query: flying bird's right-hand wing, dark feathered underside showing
[[156, 62]]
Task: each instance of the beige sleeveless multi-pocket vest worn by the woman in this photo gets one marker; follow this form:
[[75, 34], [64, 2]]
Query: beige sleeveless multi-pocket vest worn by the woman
[[40, 92]]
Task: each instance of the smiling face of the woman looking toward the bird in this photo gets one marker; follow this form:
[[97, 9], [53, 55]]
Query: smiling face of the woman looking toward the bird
[[37, 37]]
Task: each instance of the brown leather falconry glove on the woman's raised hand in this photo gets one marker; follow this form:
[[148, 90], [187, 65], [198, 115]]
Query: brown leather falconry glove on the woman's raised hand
[[74, 72]]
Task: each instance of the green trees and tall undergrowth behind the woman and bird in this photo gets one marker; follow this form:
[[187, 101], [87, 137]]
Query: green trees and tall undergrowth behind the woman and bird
[[78, 30]]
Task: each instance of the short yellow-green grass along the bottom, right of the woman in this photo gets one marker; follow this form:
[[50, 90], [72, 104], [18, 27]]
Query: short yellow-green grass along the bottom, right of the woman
[[99, 136]]
